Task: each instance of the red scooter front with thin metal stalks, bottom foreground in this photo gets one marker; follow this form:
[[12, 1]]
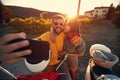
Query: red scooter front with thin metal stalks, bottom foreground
[[50, 75]]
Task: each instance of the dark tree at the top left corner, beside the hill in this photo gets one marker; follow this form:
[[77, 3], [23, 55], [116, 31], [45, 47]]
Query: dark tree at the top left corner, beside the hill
[[5, 13]]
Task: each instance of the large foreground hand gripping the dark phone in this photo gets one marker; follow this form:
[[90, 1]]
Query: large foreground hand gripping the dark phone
[[6, 50]]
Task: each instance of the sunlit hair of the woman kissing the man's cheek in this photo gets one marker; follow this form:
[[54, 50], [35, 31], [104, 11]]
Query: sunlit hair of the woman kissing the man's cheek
[[74, 24]]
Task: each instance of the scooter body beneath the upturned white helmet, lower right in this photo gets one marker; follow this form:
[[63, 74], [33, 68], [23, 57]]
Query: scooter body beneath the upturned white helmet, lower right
[[105, 74]]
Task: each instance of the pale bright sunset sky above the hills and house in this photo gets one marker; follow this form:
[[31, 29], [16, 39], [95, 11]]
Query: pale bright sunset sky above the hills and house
[[64, 6]]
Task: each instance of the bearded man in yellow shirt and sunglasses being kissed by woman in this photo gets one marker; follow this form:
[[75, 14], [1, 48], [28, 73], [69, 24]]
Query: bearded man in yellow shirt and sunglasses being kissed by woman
[[56, 39]]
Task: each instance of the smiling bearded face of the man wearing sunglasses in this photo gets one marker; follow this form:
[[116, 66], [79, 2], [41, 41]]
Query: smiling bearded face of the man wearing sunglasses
[[58, 25]]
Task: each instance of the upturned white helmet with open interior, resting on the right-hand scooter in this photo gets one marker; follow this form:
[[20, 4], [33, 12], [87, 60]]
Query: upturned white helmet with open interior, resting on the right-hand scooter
[[102, 56]]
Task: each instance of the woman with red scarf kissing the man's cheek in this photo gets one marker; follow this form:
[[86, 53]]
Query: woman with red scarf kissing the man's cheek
[[74, 45]]
